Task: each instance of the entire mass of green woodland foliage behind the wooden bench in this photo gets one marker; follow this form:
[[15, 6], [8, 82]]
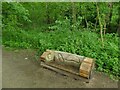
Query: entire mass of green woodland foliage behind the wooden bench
[[51, 28]]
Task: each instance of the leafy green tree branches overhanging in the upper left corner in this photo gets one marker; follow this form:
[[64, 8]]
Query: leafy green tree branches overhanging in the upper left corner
[[13, 14]]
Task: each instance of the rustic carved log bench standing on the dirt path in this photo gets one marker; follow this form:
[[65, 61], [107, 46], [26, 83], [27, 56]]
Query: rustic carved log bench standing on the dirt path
[[75, 64]]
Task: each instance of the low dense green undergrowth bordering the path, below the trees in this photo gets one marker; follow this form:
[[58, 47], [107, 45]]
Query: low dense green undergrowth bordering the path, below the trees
[[80, 42]]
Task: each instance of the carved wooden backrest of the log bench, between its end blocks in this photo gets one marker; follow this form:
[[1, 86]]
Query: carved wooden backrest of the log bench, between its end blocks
[[67, 58]]
